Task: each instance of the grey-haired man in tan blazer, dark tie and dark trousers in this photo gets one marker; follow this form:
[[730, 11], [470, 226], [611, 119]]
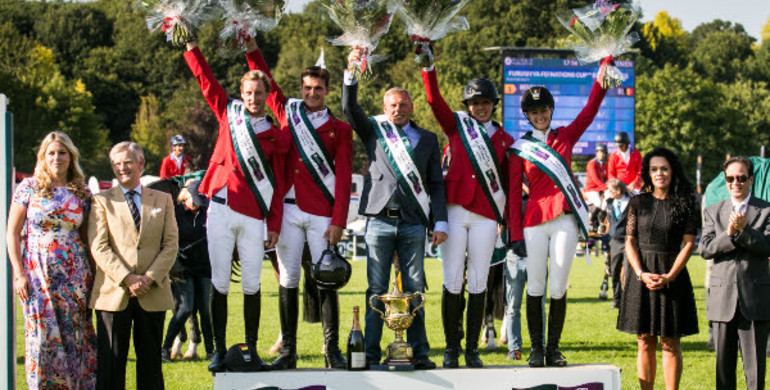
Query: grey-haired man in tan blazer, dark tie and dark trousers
[[133, 237]]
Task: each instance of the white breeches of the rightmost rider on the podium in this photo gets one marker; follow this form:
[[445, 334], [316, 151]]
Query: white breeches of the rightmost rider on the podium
[[555, 239]]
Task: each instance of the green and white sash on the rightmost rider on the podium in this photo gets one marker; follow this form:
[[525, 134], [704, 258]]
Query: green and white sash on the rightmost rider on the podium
[[552, 163]]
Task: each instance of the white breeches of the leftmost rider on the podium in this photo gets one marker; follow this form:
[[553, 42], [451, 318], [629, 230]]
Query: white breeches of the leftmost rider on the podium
[[227, 230]]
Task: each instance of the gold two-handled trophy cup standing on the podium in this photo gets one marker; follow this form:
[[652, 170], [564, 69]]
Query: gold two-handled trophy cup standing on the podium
[[398, 317]]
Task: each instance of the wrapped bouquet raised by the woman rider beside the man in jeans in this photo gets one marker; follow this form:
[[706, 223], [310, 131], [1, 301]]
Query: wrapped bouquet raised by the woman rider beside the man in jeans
[[429, 20]]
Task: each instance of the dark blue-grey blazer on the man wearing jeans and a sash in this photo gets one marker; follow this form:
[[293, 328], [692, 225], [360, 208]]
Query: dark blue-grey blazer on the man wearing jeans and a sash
[[380, 182]]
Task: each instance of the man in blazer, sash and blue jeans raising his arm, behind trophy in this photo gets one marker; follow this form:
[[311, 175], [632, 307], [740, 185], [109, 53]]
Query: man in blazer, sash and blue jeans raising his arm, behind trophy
[[403, 186]]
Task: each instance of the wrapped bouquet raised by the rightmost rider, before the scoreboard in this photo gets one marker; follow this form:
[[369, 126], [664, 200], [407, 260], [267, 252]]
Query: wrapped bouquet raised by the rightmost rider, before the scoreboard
[[602, 30]]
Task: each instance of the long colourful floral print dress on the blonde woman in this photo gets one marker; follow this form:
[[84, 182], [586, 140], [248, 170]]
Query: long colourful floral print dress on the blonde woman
[[60, 340]]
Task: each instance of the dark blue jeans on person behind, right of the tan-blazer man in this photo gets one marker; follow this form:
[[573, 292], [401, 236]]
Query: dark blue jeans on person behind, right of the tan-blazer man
[[194, 295]]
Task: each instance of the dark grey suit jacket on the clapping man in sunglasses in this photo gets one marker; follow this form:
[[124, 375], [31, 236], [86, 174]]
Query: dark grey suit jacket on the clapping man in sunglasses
[[740, 278]]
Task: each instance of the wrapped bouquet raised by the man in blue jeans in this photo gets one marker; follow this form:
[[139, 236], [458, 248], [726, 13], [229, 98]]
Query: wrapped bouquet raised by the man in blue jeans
[[363, 23]]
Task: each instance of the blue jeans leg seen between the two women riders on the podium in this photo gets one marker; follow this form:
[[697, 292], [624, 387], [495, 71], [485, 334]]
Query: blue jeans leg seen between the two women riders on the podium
[[515, 280]]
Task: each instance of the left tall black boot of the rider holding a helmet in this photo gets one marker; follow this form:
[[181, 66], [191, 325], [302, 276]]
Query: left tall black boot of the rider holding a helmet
[[288, 304]]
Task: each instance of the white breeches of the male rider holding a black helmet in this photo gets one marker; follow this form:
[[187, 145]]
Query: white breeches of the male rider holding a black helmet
[[297, 228]]
